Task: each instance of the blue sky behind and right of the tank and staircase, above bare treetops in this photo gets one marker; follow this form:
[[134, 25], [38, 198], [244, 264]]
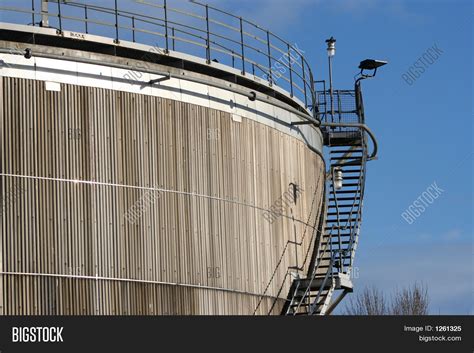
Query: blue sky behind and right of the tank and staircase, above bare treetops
[[424, 130]]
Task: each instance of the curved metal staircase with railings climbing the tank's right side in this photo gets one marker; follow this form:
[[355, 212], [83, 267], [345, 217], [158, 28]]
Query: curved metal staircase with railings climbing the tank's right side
[[330, 271]]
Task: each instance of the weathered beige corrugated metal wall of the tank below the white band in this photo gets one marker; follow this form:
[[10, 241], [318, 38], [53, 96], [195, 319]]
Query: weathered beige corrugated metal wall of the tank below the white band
[[73, 248]]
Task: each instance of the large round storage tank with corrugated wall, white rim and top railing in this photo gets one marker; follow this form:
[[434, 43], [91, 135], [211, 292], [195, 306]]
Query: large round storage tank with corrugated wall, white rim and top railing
[[140, 179]]
